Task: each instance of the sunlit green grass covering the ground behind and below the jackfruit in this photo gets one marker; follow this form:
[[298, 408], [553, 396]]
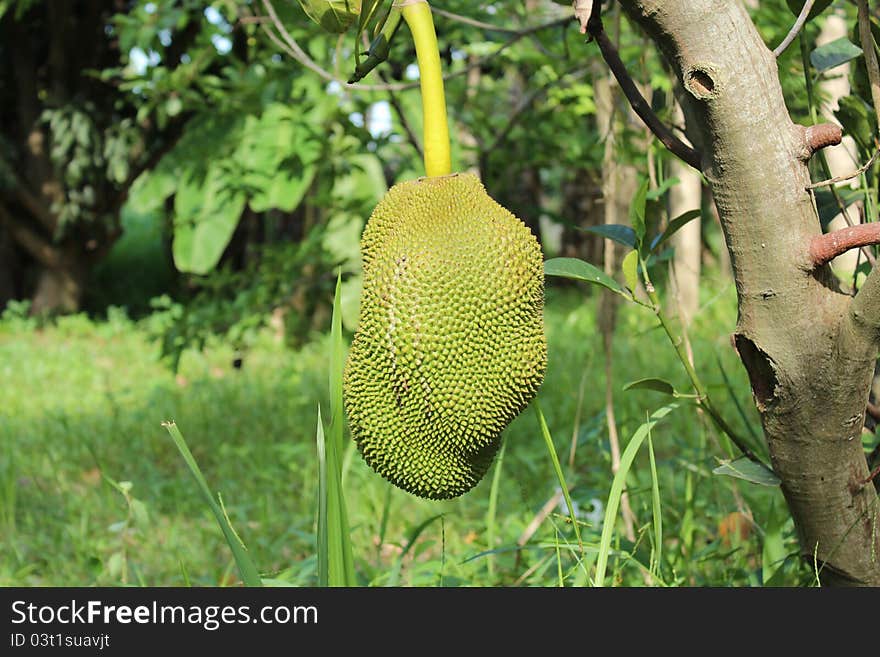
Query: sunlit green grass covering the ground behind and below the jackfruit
[[81, 407]]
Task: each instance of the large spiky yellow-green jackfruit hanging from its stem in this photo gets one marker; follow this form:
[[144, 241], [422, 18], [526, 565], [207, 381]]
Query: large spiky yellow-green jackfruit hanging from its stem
[[450, 345]]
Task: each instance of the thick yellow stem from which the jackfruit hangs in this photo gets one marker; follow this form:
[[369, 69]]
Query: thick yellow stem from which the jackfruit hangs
[[438, 161]]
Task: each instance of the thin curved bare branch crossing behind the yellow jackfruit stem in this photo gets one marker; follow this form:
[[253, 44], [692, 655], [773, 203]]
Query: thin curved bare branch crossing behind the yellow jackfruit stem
[[285, 41]]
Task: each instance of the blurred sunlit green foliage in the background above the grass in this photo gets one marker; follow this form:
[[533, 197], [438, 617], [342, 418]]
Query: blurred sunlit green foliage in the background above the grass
[[235, 152]]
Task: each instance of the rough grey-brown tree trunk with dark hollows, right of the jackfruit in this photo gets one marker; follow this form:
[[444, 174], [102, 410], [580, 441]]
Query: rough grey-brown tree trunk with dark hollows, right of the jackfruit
[[808, 348]]
